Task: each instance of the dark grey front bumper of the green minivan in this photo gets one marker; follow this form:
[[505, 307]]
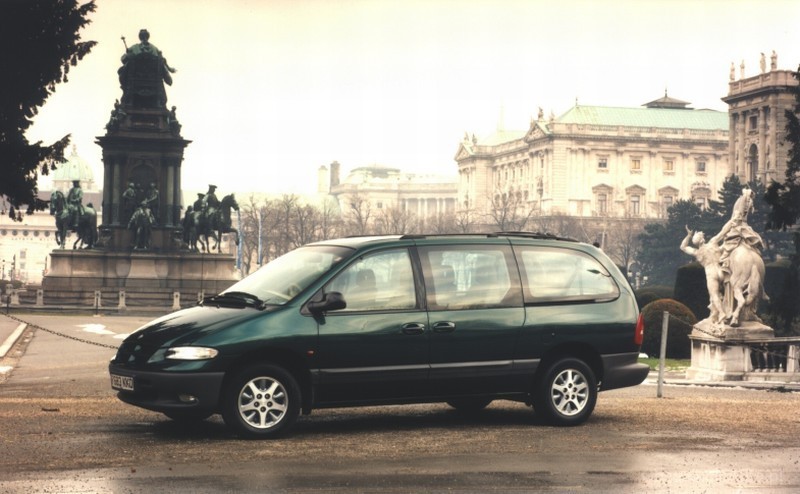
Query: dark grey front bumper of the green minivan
[[167, 392]]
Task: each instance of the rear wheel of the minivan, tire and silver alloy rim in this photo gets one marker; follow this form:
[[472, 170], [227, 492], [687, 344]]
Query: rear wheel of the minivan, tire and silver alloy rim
[[566, 393]]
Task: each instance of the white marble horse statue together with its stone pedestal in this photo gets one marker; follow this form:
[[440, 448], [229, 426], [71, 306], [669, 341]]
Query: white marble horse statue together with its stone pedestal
[[734, 272]]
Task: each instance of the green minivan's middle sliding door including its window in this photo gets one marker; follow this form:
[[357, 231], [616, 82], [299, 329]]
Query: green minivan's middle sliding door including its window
[[475, 312]]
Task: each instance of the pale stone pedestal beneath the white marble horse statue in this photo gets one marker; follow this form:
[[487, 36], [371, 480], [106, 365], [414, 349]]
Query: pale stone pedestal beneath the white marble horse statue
[[720, 353]]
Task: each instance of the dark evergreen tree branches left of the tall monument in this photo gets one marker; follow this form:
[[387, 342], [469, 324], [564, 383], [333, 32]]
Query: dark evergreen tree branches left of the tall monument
[[39, 41]]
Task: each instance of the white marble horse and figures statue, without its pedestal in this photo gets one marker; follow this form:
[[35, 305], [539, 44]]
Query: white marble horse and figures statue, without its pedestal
[[733, 266]]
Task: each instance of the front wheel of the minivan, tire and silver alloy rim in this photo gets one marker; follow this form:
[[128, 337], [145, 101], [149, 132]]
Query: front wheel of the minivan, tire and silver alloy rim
[[261, 401]]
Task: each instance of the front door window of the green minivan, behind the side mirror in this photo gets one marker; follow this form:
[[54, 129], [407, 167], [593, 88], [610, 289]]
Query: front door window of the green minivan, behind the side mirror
[[381, 281]]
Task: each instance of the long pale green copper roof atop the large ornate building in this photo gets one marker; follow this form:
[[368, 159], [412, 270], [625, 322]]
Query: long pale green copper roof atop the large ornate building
[[646, 117]]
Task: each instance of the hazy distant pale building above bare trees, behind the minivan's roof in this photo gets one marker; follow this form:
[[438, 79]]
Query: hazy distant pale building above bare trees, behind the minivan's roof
[[383, 188]]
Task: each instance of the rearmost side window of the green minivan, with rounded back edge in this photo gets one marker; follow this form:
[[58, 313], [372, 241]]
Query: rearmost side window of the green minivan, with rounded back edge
[[552, 275]]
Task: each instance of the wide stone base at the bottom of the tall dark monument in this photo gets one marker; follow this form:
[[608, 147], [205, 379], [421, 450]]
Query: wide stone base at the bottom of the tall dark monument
[[138, 278]]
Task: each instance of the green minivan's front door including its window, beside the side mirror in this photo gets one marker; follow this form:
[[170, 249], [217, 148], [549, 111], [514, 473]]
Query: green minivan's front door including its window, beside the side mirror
[[377, 347]]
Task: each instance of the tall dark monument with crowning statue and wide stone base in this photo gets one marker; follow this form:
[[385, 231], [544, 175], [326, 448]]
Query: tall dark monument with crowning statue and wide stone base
[[139, 254]]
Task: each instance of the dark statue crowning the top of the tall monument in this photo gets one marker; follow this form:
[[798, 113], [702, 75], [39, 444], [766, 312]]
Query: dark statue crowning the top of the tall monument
[[143, 74]]
